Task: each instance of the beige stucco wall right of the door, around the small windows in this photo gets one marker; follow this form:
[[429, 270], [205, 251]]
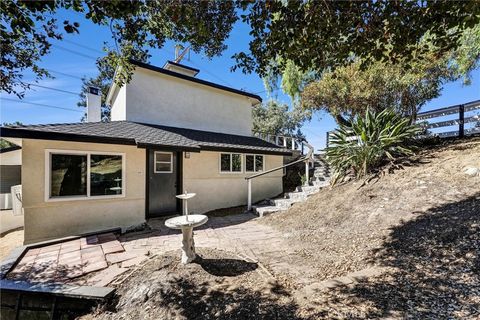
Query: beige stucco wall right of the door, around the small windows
[[222, 190]]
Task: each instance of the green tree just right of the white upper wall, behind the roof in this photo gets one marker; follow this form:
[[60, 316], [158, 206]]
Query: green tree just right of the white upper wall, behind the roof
[[276, 118]]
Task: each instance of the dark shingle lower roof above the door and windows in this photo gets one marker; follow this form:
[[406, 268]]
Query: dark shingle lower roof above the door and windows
[[144, 135]]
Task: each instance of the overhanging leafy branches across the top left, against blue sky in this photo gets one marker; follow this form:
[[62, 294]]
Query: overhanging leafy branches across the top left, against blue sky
[[28, 27]]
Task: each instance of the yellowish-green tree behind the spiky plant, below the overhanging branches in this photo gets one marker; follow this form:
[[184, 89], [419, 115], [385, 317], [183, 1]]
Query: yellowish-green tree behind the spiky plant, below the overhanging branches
[[348, 91]]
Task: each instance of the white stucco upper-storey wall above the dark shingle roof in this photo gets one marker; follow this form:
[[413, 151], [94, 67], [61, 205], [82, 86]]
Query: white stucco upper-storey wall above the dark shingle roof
[[156, 98]]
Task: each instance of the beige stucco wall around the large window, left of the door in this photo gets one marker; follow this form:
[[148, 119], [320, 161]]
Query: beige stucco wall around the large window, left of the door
[[47, 220]]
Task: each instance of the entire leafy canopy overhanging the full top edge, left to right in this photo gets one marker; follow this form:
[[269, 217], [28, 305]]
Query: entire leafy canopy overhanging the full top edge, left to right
[[314, 35]]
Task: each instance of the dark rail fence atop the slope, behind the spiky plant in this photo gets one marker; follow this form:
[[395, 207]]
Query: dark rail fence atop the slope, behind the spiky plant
[[465, 116]]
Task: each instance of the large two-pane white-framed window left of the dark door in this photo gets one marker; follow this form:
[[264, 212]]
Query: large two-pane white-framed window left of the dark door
[[83, 174]]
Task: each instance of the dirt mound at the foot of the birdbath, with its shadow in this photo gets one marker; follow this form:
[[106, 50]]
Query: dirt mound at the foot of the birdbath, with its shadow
[[217, 286]]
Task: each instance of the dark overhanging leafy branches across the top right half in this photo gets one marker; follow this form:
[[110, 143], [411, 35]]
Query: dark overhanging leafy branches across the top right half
[[322, 35]]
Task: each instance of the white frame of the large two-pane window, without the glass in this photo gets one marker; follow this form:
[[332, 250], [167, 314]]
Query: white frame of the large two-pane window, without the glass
[[48, 175]]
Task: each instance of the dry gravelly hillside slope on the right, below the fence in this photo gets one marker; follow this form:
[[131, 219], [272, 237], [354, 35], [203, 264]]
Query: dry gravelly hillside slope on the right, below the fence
[[421, 224]]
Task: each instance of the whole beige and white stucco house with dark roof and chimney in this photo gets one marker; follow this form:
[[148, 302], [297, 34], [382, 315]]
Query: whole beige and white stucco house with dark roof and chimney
[[169, 132]]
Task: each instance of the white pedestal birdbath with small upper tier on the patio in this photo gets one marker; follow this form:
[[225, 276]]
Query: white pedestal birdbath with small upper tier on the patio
[[186, 223]]
